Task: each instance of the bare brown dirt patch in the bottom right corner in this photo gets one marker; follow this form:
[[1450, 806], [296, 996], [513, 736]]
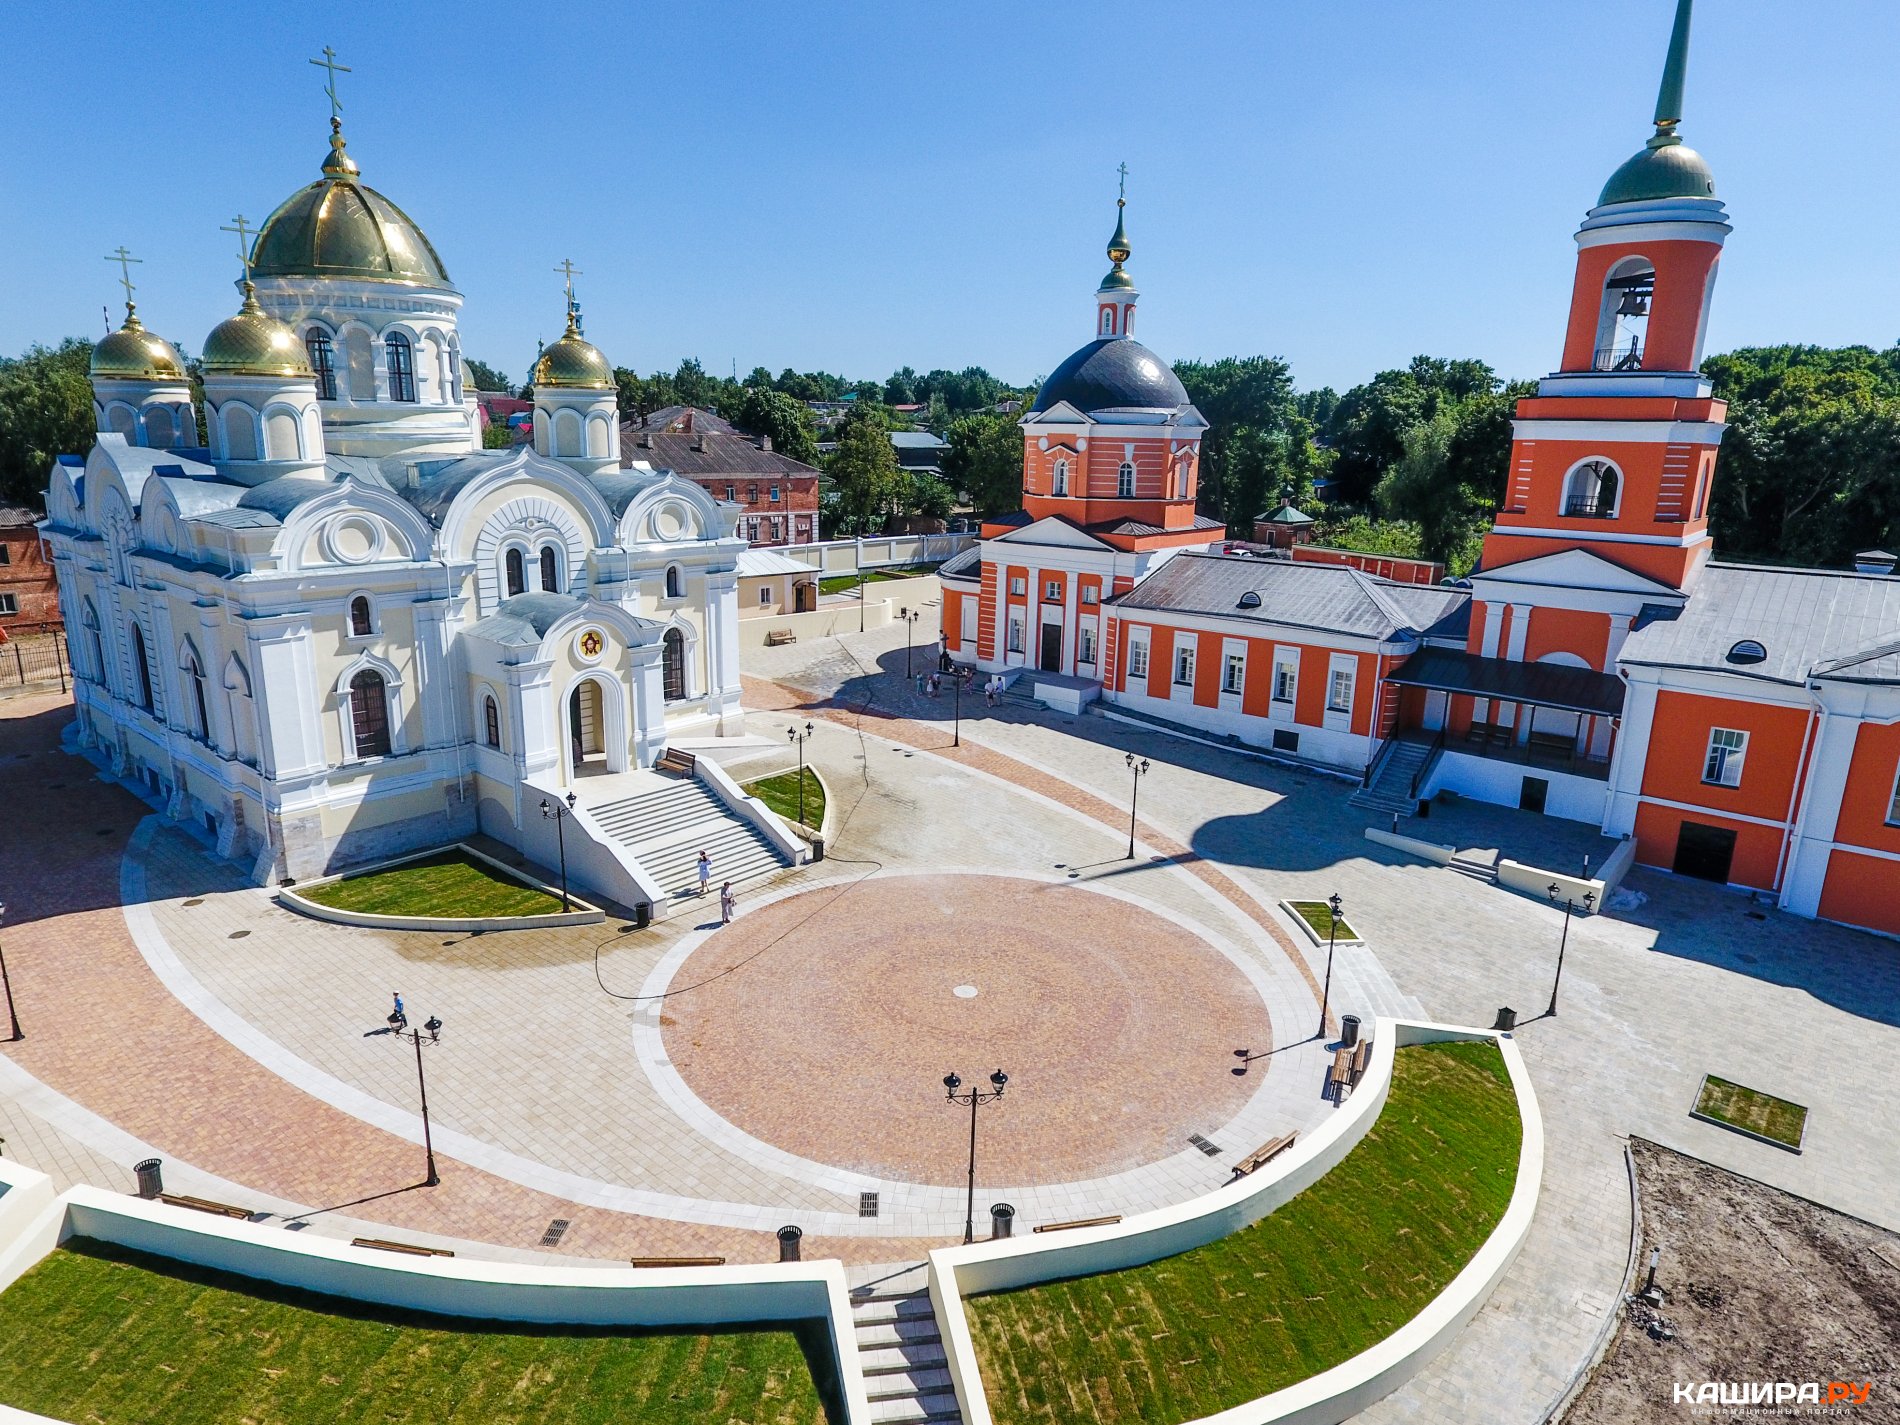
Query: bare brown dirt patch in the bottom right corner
[[1760, 1287]]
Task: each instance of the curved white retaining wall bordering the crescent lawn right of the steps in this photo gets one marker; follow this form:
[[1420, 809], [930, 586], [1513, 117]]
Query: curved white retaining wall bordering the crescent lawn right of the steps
[[1333, 1396]]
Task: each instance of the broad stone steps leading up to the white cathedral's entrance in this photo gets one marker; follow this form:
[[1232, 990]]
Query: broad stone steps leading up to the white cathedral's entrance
[[668, 822]]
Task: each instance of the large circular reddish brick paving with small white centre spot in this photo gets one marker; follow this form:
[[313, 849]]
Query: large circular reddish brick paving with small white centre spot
[[1114, 1025]]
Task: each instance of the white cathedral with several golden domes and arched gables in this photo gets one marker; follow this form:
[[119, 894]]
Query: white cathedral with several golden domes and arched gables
[[347, 630]]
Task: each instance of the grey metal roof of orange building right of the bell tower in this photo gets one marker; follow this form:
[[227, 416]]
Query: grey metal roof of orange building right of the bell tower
[[1810, 622]]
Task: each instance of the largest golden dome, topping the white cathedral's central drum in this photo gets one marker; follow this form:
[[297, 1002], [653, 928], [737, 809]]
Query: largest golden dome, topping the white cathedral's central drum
[[343, 229]]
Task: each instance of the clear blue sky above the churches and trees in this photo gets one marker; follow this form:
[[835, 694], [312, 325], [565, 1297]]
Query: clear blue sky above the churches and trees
[[860, 187]]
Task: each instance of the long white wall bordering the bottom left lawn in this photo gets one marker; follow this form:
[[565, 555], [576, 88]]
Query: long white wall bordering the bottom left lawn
[[455, 1287]]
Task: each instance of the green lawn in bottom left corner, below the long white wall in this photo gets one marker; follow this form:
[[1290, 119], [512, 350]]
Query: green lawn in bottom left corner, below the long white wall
[[100, 1333]]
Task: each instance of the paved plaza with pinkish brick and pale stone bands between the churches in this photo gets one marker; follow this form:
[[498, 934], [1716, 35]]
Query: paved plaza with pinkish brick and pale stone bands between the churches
[[691, 1088]]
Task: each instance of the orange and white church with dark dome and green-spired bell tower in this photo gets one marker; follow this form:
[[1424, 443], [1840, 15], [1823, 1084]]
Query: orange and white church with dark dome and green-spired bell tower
[[1741, 725]]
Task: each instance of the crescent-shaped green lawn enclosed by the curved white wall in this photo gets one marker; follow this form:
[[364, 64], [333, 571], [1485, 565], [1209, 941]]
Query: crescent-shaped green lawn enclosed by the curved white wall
[[1342, 1266]]
